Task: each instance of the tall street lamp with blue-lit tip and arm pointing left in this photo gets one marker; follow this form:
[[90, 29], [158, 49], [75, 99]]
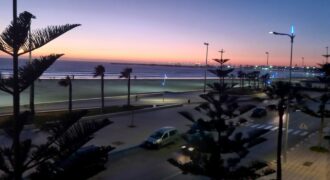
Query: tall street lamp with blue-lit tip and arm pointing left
[[291, 36]]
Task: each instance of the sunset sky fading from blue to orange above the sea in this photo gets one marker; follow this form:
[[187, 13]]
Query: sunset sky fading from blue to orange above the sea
[[173, 31]]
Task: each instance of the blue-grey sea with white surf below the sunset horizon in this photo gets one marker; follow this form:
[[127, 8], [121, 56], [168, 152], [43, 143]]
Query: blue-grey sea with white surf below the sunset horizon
[[85, 69]]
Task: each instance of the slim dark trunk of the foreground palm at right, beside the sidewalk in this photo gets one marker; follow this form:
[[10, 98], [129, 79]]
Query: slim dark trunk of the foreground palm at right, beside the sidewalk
[[279, 144]]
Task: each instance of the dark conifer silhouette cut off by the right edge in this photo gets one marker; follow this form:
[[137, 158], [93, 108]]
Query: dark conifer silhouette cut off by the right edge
[[322, 112]]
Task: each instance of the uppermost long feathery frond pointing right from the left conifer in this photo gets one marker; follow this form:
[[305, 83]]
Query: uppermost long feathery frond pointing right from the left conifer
[[41, 37]]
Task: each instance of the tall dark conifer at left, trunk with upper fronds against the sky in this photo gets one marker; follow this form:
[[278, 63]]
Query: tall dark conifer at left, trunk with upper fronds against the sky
[[14, 42]]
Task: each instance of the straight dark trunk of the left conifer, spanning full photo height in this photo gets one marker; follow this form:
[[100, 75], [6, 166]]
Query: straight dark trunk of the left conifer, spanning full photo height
[[16, 103]]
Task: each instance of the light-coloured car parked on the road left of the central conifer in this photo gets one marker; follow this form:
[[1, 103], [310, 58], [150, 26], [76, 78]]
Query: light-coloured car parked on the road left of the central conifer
[[162, 137]]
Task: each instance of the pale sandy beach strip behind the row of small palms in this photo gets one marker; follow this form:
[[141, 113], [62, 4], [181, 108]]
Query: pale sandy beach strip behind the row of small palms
[[47, 91]]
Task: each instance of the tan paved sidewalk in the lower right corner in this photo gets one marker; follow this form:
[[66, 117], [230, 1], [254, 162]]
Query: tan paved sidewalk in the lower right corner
[[304, 164]]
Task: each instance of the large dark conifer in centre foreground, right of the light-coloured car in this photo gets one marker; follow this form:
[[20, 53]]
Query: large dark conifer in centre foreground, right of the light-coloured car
[[219, 157]]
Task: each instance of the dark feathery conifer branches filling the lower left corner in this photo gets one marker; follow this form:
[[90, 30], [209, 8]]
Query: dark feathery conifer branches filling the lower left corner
[[54, 159]]
